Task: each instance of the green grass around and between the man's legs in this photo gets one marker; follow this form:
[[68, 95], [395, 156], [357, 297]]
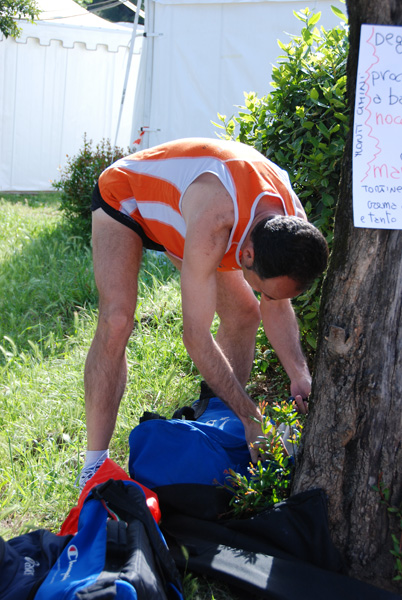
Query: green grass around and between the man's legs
[[48, 313]]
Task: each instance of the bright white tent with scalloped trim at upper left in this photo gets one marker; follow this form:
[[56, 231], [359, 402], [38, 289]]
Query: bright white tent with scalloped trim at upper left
[[62, 78]]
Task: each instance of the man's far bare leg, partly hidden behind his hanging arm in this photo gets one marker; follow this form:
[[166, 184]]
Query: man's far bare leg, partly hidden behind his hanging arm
[[239, 314]]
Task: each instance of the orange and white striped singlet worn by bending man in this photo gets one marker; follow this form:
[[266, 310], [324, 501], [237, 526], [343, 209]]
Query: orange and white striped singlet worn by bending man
[[148, 186]]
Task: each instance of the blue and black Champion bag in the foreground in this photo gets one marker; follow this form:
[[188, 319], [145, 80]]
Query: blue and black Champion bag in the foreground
[[117, 553]]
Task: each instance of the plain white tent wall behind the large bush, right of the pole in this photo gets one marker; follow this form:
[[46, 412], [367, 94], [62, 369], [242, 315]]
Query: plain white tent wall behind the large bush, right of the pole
[[199, 57]]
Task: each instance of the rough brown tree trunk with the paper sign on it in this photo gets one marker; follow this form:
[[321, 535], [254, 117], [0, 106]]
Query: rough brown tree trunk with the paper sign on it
[[352, 439]]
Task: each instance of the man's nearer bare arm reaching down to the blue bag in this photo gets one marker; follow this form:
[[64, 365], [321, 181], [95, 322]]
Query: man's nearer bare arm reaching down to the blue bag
[[208, 230]]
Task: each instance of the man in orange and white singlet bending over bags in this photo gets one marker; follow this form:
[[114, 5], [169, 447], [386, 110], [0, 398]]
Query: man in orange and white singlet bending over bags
[[228, 218]]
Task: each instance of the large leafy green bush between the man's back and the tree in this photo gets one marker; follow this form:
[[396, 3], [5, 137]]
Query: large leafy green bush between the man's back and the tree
[[302, 125]]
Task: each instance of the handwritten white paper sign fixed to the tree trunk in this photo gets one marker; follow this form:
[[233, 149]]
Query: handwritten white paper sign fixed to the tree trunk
[[377, 133]]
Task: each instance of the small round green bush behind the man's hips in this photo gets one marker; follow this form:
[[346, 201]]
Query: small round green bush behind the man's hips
[[78, 179]]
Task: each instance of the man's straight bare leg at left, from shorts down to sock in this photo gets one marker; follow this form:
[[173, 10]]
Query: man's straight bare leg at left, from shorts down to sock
[[117, 253]]
